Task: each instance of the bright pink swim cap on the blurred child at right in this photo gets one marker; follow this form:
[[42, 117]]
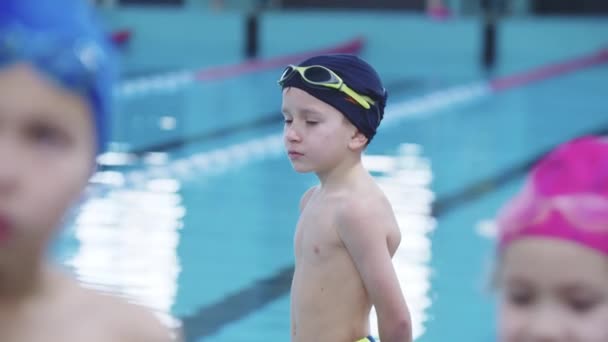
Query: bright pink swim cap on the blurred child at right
[[564, 197]]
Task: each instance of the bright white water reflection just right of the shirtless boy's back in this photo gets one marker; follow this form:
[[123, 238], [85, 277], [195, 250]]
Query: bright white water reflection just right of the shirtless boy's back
[[405, 178]]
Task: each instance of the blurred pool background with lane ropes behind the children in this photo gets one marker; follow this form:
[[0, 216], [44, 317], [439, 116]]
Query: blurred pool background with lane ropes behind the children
[[192, 212]]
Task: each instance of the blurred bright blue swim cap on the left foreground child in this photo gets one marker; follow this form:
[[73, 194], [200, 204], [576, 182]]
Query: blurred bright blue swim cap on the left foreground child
[[64, 40]]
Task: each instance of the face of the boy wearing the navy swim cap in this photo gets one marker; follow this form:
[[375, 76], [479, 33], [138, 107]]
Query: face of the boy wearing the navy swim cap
[[316, 135]]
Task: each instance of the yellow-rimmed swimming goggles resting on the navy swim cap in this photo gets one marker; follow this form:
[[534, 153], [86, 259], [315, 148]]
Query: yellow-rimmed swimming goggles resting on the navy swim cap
[[321, 76]]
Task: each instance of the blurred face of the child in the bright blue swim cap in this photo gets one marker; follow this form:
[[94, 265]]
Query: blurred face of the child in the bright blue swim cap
[[47, 150]]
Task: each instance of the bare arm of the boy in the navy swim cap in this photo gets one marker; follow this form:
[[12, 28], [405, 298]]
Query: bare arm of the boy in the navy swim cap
[[363, 228]]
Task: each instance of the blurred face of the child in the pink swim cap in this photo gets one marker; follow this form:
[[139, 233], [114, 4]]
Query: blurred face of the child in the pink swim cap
[[553, 290]]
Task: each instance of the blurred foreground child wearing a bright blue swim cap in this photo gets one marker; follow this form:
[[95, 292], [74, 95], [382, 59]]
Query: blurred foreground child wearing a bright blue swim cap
[[54, 89]]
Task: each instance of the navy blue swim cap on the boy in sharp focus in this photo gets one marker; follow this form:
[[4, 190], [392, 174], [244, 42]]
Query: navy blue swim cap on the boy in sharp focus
[[358, 75]]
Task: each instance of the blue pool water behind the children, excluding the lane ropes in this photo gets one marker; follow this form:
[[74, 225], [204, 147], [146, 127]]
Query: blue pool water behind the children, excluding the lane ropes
[[202, 232]]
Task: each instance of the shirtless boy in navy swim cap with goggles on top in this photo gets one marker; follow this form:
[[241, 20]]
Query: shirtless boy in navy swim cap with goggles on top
[[347, 233]]
